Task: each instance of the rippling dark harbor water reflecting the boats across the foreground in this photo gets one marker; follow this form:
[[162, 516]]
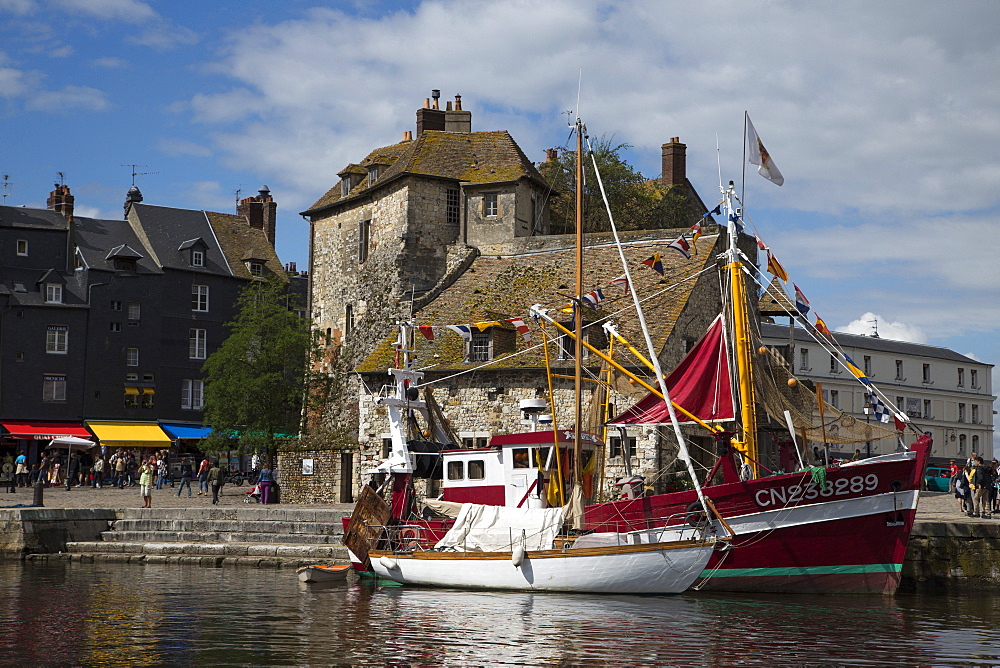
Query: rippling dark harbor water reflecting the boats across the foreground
[[60, 612]]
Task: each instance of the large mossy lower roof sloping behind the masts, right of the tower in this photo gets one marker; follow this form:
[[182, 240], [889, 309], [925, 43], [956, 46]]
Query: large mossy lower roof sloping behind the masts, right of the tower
[[497, 288]]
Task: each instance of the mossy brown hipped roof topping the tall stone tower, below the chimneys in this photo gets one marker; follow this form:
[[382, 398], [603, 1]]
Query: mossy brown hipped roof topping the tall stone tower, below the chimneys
[[471, 157]]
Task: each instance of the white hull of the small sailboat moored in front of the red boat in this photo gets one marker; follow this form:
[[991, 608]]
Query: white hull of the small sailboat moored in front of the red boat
[[658, 568]]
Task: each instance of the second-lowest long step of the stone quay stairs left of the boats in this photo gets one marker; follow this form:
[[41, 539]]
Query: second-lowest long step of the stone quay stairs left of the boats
[[257, 550]]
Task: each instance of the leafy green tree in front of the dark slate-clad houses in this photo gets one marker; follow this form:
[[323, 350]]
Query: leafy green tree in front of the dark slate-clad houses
[[261, 378]]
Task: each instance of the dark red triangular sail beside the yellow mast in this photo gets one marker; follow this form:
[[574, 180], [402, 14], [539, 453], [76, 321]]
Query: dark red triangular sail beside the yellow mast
[[700, 385]]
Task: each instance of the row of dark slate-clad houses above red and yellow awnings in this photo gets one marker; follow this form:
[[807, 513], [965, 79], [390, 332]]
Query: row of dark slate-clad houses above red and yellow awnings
[[108, 322]]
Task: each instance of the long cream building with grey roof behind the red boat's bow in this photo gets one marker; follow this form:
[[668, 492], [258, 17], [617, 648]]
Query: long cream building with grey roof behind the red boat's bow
[[942, 392]]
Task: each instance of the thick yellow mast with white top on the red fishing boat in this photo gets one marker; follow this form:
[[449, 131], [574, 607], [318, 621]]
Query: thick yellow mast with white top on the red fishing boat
[[741, 338]]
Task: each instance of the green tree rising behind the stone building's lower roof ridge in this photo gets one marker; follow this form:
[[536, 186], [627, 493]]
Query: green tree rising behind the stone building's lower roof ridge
[[637, 203]]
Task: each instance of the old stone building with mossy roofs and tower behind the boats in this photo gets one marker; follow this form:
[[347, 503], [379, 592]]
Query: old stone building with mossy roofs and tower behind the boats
[[451, 225]]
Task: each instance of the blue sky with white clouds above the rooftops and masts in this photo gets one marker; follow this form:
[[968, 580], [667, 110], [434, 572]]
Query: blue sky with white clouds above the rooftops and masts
[[883, 118]]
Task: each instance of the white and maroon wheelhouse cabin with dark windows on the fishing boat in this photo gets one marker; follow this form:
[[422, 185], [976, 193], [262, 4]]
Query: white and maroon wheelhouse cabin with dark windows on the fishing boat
[[516, 470]]
